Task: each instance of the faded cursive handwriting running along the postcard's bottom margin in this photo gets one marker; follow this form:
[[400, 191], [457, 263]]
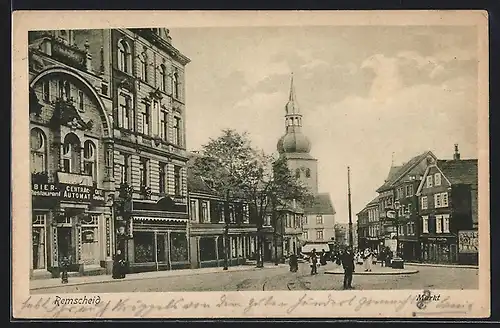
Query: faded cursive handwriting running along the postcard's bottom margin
[[97, 307]]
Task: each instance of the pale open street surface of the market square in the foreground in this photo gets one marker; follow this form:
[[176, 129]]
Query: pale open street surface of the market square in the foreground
[[279, 278]]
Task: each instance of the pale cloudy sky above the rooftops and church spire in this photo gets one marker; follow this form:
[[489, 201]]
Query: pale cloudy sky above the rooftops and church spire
[[369, 95]]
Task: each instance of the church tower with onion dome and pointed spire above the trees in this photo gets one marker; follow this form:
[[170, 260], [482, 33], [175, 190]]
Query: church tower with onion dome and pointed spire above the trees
[[295, 146]]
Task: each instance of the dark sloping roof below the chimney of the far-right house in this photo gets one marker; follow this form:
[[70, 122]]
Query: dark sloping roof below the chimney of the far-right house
[[462, 171]]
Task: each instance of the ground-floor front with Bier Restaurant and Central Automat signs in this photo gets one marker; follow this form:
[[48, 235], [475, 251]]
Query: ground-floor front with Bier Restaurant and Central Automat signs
[[73, 222]]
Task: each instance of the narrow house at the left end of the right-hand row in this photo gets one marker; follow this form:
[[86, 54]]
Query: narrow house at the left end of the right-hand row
[[369, 228]]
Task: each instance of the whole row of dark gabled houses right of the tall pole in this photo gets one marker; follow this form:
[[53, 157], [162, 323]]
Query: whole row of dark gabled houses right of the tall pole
[[426, 210]]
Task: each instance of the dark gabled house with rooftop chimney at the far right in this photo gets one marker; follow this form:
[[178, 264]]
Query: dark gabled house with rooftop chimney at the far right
[[448, 206]]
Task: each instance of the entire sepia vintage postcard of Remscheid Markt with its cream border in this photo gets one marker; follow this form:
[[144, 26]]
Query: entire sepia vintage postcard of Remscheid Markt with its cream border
[[250, 164]]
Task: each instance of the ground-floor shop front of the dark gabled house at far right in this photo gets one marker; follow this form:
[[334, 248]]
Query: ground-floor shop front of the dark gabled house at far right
[[439, 249]]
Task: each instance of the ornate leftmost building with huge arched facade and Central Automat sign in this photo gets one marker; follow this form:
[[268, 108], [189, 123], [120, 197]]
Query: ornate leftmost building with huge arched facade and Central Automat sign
[[71, 141]]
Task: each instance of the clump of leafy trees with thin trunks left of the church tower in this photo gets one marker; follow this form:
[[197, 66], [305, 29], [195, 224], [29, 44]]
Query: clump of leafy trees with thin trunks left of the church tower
[[239, 171]]
